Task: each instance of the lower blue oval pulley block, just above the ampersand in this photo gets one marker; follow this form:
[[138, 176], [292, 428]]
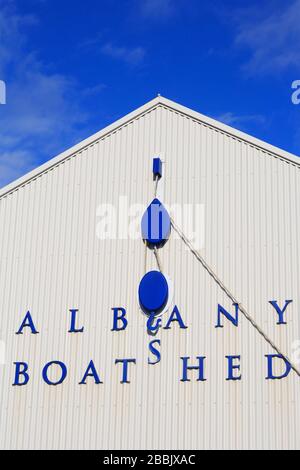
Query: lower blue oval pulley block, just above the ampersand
[[153, 292]]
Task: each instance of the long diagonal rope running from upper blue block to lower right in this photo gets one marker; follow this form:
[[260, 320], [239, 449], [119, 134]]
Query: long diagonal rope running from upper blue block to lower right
[[231, 297]]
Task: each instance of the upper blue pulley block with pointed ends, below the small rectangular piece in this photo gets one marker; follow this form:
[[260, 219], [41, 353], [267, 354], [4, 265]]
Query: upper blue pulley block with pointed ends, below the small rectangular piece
[[156, 224]]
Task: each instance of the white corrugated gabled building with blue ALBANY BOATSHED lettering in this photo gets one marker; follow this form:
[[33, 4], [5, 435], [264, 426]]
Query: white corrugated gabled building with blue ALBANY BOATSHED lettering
[[59, 274]]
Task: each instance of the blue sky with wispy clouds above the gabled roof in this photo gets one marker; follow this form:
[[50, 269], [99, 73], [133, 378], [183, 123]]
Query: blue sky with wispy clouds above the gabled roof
[[71, 68]]
